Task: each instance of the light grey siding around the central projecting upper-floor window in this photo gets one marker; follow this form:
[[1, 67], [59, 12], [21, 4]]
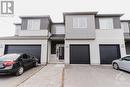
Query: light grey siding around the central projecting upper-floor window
[[80, 33]]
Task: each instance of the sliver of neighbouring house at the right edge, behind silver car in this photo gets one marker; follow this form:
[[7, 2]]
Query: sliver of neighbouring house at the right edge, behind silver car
[[125, 24]]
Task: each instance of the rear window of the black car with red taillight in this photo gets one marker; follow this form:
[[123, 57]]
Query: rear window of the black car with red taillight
[[9, 57]]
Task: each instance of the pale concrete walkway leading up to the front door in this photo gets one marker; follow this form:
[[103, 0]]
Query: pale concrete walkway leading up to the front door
[[49, 76]]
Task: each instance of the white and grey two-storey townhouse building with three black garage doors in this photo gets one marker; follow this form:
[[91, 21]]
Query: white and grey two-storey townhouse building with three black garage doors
[[83, 38]]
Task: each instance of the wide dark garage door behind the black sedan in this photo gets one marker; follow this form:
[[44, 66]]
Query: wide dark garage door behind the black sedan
[[34, 50]]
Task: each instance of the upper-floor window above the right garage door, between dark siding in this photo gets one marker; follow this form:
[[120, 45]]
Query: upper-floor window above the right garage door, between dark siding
[[106, 23]]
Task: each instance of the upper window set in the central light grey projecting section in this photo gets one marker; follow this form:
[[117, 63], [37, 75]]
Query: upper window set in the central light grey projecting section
[[79, 22]]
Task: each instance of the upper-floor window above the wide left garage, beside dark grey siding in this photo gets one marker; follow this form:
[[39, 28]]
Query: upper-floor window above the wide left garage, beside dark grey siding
[[33, 24]]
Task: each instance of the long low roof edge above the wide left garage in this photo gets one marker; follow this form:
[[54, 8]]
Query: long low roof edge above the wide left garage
[[23, 38]]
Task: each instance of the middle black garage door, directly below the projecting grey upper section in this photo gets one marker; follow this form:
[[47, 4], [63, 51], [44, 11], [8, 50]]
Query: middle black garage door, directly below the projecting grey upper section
[[79, 54]]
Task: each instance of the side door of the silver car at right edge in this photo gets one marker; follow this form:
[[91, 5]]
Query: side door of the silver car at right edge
[[125, 63]]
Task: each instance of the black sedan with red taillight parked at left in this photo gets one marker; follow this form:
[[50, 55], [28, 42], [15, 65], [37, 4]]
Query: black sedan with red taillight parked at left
[[17, 63]]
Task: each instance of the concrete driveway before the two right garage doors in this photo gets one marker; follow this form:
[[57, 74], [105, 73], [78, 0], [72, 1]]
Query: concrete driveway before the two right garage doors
[[95, 76]]
